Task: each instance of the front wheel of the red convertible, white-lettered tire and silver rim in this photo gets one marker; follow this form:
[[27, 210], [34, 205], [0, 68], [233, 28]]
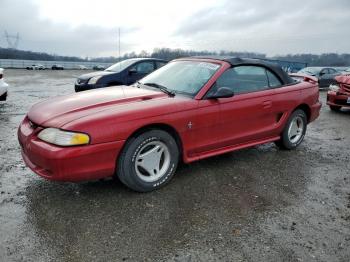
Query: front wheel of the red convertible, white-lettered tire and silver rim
[[148, 161]]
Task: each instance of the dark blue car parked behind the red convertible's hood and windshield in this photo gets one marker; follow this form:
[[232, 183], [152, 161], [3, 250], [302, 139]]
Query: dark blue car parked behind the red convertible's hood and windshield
[[125, 72]]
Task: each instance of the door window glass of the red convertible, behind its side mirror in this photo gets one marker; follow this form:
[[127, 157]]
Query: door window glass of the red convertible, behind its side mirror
[[244, 79]]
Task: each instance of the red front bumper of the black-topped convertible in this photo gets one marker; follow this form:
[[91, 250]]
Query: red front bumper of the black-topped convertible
[[71, 164]]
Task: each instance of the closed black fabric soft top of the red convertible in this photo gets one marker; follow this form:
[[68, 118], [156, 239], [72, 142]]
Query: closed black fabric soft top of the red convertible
[[237, 61]]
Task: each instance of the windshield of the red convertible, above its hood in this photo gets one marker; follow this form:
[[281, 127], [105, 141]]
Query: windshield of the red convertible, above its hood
[[184, 77]]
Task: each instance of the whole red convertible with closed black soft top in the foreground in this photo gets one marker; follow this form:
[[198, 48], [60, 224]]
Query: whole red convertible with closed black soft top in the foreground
[[188, 110]]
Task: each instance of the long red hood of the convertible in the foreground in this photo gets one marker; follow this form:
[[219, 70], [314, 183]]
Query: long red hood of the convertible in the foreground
[[58, 111]]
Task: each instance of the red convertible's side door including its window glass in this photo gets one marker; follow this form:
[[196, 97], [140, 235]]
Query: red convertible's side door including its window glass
[[249, 114]]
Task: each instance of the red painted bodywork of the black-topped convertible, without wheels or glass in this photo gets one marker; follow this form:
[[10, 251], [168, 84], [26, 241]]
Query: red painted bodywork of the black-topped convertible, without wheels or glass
[[110, 116]]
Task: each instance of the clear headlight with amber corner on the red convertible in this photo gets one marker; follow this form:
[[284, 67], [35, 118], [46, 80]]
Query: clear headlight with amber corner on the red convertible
[[63, 138]]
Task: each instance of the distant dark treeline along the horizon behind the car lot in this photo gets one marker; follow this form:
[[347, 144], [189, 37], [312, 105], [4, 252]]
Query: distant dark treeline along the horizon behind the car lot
[[329, 59]]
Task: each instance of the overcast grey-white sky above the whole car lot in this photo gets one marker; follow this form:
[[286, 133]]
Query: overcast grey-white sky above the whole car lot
[[90, 28]]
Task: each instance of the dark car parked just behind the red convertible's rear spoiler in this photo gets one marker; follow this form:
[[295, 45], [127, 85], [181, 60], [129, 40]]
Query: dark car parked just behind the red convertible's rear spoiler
[[326, 75]]
